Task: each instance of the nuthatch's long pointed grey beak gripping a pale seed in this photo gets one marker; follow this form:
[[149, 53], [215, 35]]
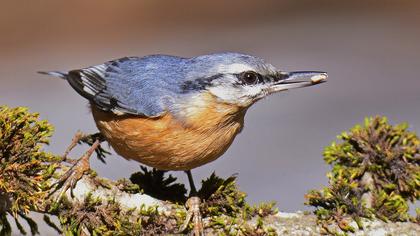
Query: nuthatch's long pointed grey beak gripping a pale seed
[[297, 79]]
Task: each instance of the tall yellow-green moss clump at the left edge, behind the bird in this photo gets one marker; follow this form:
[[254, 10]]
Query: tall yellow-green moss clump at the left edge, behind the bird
[[25, 170]]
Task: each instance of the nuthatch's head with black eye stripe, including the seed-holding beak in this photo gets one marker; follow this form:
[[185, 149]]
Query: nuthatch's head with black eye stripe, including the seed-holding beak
[[242, 80]]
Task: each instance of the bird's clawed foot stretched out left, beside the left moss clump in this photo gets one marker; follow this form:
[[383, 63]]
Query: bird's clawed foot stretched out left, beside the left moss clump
[[80, 167]]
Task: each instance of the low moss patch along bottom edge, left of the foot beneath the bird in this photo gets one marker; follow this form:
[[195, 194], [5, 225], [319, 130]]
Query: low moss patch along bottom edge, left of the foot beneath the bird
[[100, 217]]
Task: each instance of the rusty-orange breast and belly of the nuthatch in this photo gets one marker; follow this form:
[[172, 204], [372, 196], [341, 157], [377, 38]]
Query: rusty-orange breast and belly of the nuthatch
[[199, 136]]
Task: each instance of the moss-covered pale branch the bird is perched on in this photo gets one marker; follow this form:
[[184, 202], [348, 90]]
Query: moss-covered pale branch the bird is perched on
[[143, 206]]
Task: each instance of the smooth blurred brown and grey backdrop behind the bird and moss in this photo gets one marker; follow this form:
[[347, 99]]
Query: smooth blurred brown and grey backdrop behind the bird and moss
[[370, 50]]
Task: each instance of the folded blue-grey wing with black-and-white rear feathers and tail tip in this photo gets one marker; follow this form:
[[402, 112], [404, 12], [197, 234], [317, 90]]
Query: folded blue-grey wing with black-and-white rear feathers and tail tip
[[128, 85]]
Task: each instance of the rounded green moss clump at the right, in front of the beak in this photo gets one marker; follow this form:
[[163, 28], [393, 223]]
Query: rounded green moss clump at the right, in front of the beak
[[375, 173]]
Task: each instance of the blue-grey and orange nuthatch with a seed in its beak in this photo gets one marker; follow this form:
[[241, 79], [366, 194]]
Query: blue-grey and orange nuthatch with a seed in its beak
[[178, 113]]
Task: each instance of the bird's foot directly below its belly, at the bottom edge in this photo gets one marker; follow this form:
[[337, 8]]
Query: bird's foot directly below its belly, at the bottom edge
[[194, 214]]
